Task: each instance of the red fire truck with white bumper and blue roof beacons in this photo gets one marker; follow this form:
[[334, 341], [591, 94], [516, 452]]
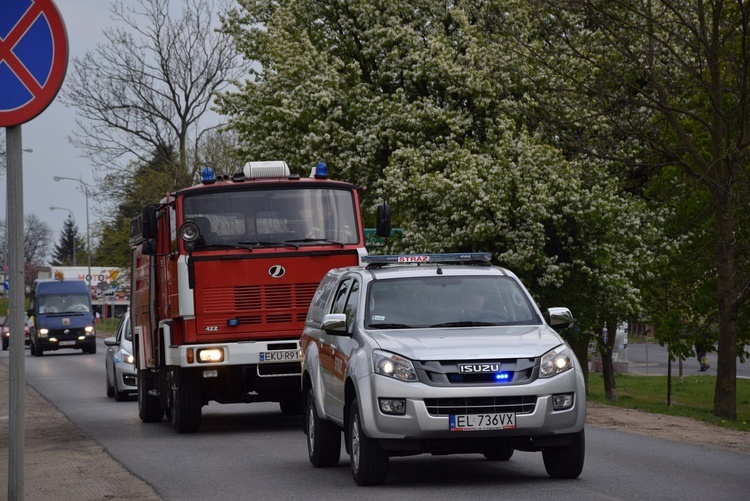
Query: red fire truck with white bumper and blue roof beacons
[[223, 274]]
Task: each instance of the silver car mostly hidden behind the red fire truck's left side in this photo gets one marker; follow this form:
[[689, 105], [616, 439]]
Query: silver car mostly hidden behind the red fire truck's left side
[[119, 363]]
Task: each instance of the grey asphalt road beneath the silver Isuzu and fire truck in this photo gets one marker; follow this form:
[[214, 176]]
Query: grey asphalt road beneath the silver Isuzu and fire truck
[[255, 452]]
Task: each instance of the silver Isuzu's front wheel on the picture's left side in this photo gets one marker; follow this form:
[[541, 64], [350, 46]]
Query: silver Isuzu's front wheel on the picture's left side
[[369, 461]]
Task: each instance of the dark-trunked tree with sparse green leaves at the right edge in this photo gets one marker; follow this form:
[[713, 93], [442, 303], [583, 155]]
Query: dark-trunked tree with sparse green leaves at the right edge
[[672, 77]]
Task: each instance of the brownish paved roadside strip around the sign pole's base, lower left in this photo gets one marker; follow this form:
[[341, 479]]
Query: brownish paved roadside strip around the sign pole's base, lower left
[[60, 461]]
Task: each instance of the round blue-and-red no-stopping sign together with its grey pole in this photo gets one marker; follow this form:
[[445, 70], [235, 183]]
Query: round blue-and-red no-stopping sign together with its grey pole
[[33, 61]]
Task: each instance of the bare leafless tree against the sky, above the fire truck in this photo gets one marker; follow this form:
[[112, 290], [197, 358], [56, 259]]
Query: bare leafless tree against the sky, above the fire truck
[[150, 84]]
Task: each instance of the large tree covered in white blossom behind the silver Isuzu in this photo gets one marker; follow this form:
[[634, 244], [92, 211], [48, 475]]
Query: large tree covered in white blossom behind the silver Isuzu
[[418, 101]]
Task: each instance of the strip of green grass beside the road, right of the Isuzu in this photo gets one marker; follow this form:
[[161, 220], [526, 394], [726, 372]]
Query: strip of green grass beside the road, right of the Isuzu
[[693, 398]]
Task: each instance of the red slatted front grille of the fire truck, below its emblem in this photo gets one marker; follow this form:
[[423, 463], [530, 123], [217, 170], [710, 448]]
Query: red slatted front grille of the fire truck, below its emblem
[[255, 304]]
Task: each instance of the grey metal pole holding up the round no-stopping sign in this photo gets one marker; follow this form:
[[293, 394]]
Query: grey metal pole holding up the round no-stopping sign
[[14, 247]]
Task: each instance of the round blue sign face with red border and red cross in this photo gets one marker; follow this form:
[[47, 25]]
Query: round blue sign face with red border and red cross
[[33, 58]]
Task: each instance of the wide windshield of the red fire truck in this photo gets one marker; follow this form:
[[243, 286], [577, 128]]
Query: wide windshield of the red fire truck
[[271, 217]]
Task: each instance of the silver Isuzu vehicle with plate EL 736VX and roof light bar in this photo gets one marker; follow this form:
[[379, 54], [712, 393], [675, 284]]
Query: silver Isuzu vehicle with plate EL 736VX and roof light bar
[[438, 354]]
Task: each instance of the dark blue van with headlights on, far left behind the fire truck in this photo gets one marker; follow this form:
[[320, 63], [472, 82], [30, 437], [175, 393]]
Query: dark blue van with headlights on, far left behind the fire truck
[[62, 316]]
